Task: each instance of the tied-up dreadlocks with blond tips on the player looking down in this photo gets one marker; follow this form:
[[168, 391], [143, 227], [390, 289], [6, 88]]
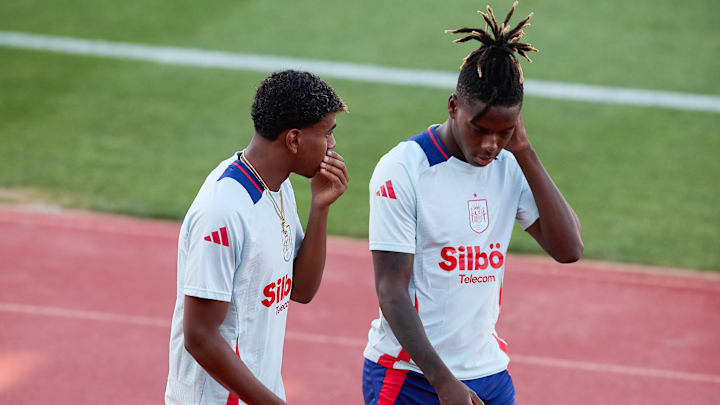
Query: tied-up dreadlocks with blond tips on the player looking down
[[492, 73]]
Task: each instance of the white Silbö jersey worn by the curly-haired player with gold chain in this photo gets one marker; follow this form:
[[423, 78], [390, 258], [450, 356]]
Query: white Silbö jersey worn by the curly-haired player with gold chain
[[231, 248]]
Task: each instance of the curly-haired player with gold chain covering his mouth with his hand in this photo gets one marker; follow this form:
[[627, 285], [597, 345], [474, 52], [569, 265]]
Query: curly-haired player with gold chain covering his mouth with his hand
[[242, 253]]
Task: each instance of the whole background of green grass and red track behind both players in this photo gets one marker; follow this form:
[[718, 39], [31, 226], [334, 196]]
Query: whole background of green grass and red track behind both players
[[86, 299]]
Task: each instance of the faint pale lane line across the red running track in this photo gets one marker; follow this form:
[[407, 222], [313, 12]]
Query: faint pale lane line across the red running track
[[359, 343]]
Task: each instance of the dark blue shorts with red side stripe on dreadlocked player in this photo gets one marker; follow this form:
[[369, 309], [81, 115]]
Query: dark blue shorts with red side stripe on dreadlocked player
[[386, 386]]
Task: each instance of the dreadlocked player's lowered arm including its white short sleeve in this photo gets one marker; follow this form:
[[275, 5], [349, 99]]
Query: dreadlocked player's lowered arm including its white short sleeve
[[393, 220]]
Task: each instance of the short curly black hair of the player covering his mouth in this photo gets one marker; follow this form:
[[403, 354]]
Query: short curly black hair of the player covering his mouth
[[292, 99]]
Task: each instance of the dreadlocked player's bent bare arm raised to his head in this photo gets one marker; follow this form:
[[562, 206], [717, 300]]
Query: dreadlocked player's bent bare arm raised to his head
[[557, 229]]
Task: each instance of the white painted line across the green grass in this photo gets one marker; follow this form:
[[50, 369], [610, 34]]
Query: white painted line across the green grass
[[348, 71]]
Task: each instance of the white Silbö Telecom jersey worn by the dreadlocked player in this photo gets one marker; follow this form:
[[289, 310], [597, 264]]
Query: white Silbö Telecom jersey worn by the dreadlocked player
[[457, 220]]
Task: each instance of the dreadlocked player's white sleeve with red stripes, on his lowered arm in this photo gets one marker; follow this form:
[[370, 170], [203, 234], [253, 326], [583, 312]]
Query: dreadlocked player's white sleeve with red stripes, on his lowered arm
[[393, 212]]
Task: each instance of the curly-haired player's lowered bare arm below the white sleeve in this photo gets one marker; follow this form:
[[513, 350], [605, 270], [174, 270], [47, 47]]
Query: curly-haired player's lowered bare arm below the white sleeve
[[201, 322]]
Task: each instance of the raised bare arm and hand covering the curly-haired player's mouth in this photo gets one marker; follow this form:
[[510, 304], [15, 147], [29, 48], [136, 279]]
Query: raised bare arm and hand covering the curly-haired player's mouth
[[326, 186]]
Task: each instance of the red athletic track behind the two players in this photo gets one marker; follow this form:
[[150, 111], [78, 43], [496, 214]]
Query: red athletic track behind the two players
[[86, 300]]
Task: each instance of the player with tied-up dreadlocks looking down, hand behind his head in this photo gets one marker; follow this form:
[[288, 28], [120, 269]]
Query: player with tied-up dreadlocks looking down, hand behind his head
[[442, 209]]
